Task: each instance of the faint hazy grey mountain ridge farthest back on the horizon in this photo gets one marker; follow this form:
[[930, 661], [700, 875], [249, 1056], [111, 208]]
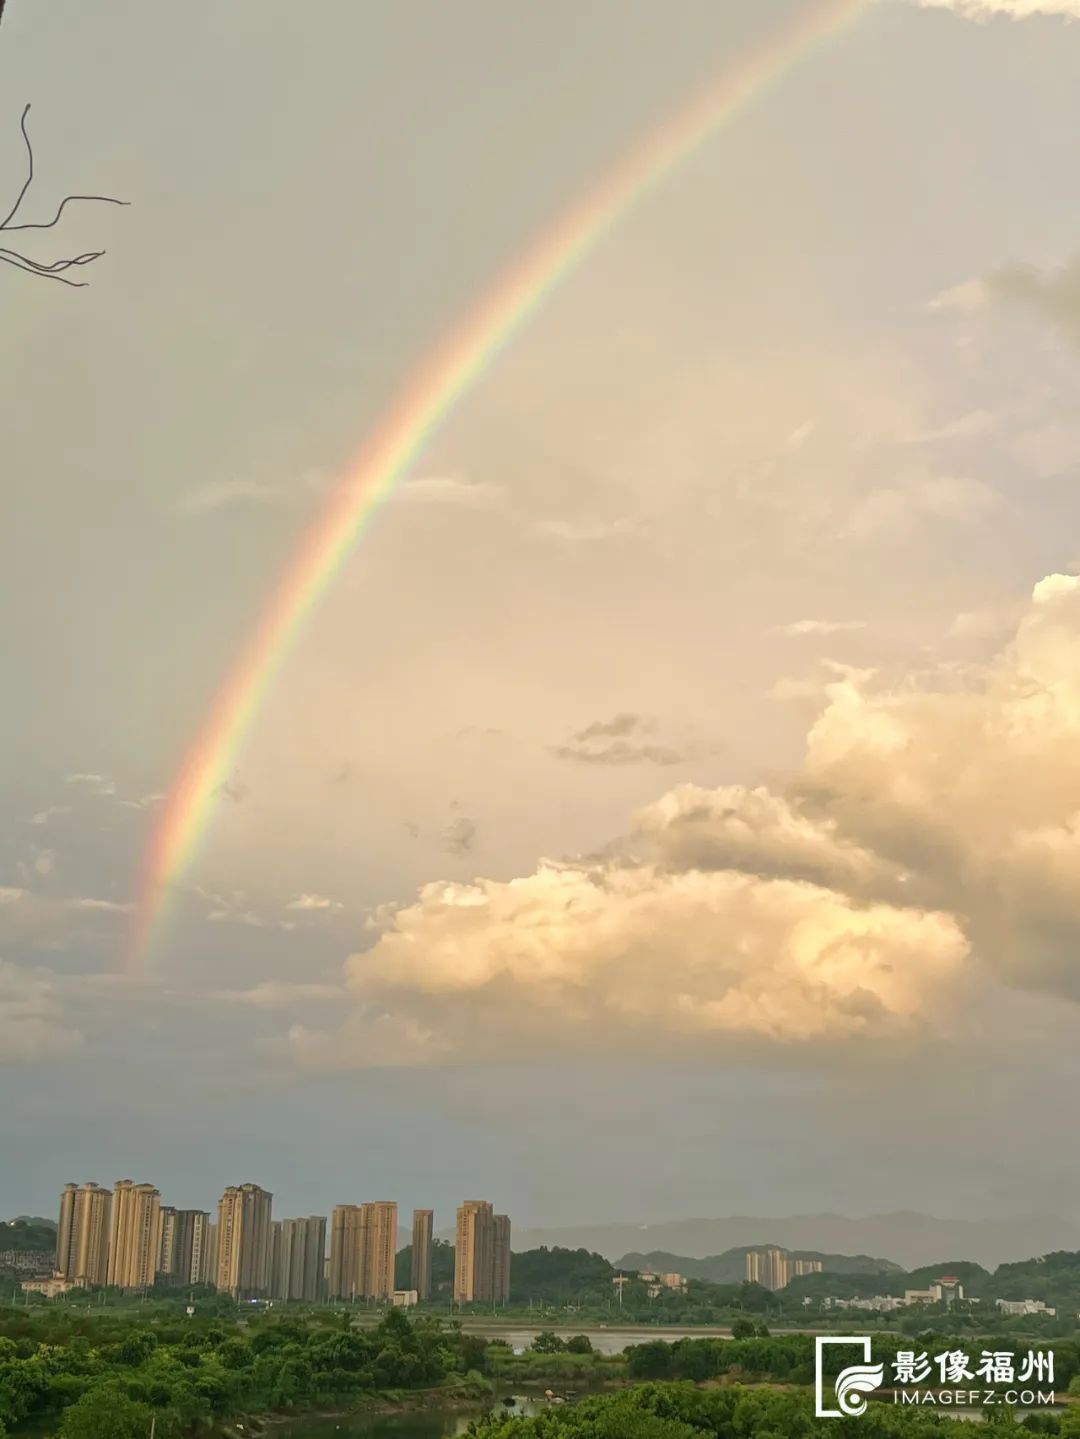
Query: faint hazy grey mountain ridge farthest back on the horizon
[[910, 1240]]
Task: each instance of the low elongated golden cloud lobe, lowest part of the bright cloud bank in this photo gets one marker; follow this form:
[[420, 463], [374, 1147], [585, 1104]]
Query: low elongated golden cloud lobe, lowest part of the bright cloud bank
[[585, 958]]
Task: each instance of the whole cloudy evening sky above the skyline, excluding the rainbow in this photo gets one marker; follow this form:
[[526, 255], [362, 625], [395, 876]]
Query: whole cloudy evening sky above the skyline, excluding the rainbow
[[674, 808]]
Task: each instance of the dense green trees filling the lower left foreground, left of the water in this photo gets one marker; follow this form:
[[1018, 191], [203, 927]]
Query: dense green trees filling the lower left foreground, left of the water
[[106, 1378]]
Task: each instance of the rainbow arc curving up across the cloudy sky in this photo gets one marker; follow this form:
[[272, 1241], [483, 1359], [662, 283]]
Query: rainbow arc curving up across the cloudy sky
[[442, 381]]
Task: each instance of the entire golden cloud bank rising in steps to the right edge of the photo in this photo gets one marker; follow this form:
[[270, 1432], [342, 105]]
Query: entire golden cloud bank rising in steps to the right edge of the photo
[[927, 847]]
